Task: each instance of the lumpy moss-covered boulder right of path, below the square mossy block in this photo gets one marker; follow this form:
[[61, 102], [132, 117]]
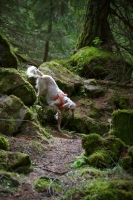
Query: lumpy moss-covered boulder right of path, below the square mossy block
[[103, 152]]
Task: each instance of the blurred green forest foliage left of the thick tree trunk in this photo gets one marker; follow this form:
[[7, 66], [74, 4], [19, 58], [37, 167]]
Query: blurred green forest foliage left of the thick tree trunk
[[31, 34]]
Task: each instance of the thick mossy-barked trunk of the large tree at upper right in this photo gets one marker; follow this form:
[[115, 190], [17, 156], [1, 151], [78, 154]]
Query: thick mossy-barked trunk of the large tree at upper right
[[96, 25]]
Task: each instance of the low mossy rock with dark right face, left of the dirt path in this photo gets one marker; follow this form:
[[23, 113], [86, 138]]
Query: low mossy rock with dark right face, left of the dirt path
[[13, 160]]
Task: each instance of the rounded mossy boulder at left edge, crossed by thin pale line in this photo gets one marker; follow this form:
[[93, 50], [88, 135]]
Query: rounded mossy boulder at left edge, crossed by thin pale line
[[13, 113]]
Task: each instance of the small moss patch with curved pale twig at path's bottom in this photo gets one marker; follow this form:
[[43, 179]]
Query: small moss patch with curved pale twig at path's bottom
[[47, 185]]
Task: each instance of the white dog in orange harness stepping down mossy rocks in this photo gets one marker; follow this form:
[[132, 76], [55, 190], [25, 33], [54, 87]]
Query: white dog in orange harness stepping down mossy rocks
[[55, 97]]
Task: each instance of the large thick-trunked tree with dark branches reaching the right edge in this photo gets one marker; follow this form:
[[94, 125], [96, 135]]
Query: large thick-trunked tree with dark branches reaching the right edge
[[110, 21]]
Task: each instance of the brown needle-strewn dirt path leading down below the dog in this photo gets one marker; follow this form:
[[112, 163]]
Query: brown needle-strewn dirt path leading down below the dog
[[51, 160]]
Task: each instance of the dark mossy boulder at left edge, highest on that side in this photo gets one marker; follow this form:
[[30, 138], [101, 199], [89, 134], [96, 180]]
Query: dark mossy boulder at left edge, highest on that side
[[7, 57]]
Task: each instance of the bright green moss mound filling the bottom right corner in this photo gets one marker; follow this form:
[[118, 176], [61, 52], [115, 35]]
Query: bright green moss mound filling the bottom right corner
[[103, 190]]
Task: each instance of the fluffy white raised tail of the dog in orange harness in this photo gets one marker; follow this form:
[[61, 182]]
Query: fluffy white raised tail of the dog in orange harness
[[32, 71]]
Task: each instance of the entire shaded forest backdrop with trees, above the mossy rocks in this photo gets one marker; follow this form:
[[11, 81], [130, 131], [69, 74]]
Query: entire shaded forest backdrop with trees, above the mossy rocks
[[46, 30]]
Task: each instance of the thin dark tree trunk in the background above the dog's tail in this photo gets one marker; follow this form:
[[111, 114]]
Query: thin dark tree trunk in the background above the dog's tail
[[46, 51]]
